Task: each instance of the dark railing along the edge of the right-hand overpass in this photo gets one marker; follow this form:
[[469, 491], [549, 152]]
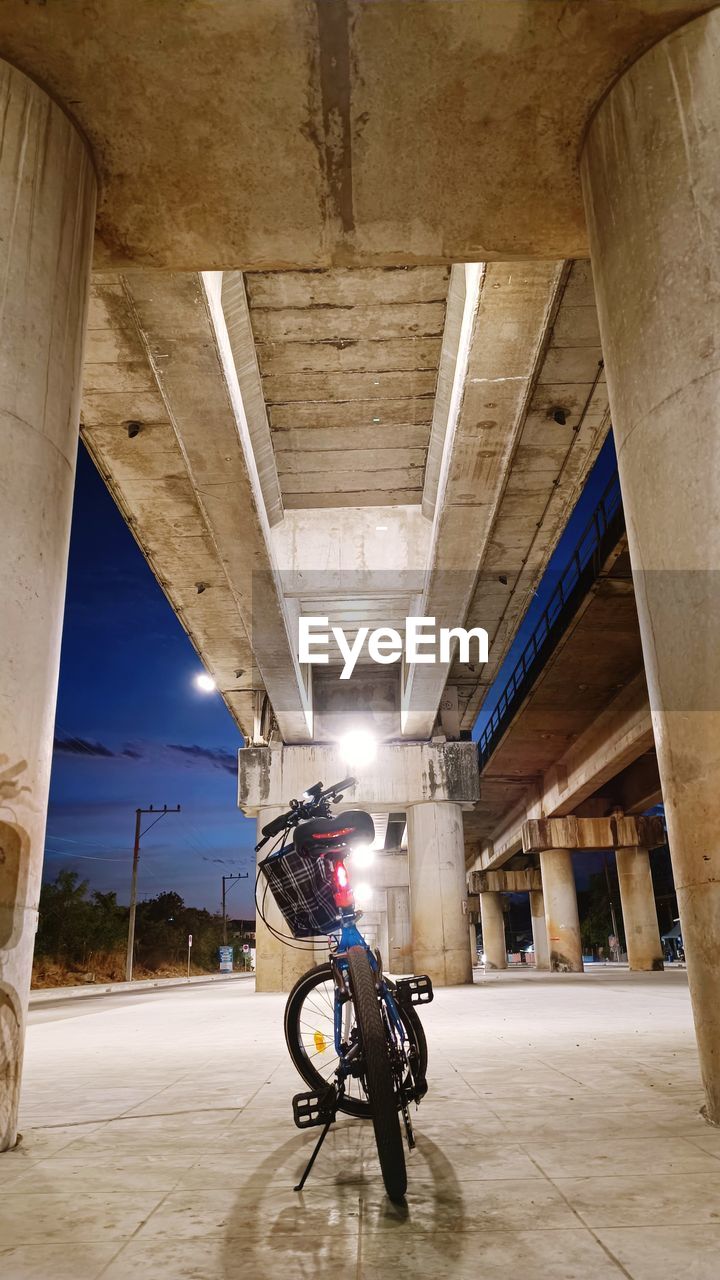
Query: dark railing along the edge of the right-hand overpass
[[595, 545]]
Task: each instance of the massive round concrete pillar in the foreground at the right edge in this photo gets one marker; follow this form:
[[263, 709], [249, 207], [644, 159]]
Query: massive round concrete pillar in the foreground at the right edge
[[651, 179]]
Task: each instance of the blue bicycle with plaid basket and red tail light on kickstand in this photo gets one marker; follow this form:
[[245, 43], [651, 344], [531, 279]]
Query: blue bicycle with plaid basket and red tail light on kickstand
[[352, 1031]]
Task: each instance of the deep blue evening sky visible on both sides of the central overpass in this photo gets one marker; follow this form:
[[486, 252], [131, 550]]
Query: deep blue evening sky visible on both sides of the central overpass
[[133, 730]]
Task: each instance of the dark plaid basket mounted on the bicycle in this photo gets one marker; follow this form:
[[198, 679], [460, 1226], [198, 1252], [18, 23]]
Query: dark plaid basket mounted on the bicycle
[[303, 889]]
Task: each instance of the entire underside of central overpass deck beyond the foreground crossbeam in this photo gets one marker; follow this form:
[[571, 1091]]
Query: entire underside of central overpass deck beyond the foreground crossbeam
[[256, 476]]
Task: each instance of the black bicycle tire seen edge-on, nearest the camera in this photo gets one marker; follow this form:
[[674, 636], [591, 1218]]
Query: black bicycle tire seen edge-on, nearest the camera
[[379, 1073]]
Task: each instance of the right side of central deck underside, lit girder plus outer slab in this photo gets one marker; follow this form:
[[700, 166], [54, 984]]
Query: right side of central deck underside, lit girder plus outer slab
[[527, 346]]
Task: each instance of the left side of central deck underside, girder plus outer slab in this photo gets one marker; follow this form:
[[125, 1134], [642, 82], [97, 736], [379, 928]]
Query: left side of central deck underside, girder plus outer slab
[[188, 482]]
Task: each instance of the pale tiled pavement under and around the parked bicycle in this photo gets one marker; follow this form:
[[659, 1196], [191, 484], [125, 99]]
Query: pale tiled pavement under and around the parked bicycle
[[560, 1142]]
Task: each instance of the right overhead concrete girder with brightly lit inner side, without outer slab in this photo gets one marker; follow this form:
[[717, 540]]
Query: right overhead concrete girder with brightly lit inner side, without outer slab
[[498, 323]]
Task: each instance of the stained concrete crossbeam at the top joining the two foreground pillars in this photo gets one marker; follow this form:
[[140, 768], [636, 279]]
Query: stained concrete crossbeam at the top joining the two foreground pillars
[[295, 134]]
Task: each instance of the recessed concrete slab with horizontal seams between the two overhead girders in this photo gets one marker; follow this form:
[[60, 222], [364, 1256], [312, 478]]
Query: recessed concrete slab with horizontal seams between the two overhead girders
[[349, 364]]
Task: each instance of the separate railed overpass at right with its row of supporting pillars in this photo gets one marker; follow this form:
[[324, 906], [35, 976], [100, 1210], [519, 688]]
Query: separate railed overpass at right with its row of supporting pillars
[[568, 762]]
